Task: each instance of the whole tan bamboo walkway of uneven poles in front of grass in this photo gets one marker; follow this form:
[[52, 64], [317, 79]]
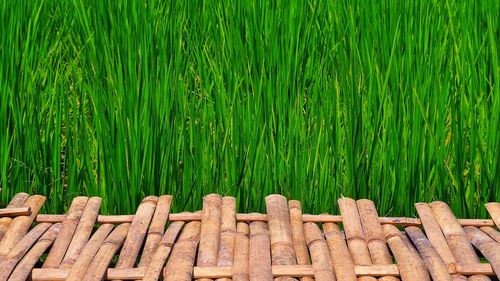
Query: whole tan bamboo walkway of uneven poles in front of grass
[[216, 243]]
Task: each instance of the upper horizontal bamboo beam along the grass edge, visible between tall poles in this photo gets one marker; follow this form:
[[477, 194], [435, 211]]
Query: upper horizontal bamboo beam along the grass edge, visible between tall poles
[[117, 219]]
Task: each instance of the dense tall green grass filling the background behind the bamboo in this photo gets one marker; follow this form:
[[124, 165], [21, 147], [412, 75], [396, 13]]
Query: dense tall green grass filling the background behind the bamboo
[[397, 101]]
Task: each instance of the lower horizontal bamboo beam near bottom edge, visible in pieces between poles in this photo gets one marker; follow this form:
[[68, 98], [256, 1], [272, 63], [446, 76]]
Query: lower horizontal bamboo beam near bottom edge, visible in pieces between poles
[[214, 272]]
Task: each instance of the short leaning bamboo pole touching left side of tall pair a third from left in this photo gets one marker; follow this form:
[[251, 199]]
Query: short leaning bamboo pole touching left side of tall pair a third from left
[[109, 247]]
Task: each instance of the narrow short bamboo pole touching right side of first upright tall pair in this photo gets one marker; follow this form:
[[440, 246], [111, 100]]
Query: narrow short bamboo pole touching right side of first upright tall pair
[[241, 244]]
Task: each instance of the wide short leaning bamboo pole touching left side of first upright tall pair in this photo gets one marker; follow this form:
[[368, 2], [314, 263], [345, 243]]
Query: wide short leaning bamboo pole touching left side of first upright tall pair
[[180, 265]]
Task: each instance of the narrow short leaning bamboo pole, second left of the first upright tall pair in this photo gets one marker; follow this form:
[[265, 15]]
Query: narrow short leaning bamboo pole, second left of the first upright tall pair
[[154, 269]]
